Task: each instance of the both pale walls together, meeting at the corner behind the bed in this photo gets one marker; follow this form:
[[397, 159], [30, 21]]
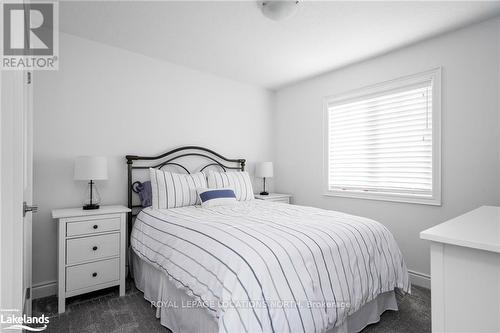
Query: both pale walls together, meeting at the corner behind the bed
[[141, 105]]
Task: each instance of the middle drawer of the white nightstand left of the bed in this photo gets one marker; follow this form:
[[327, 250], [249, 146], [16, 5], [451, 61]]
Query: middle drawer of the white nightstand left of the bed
[[92, 248]]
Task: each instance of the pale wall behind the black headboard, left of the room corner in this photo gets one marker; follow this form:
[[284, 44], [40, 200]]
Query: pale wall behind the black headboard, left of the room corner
[[107, 101]]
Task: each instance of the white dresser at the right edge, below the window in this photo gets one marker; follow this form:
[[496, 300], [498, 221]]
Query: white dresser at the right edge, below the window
[[465, 272]]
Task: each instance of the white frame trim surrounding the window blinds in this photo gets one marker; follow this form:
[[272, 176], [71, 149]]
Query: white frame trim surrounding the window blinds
[[434, 76]]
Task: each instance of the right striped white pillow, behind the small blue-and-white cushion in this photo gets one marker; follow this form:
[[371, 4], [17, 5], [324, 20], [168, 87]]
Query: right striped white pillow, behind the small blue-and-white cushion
[[238, 181]]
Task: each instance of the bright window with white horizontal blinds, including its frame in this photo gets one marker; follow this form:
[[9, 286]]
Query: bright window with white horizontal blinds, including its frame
[[383, 142]]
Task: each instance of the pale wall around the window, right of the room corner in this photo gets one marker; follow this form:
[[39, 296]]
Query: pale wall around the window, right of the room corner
[[470, 133]]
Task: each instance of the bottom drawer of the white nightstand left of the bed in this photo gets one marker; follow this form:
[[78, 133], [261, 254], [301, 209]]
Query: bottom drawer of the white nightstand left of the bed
[[87, 275]]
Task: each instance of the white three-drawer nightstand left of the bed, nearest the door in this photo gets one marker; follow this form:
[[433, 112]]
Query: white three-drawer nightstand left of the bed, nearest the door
[[91, 250]]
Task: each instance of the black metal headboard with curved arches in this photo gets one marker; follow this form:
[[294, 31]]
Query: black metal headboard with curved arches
[[169, 158]]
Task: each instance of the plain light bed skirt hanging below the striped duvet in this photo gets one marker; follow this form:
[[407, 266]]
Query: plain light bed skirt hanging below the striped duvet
[[175, 308]]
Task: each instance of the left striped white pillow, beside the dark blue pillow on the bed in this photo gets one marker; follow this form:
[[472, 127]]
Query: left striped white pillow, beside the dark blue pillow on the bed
[[170, 190]]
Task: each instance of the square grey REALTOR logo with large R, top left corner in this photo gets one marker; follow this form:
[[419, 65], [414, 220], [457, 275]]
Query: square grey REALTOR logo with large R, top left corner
[[30, 37]]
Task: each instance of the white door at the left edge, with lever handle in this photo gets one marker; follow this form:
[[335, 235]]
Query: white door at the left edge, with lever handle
[[15, 189]]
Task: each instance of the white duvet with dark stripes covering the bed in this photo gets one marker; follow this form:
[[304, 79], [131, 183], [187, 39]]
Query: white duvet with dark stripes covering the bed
[[260, 266]]
